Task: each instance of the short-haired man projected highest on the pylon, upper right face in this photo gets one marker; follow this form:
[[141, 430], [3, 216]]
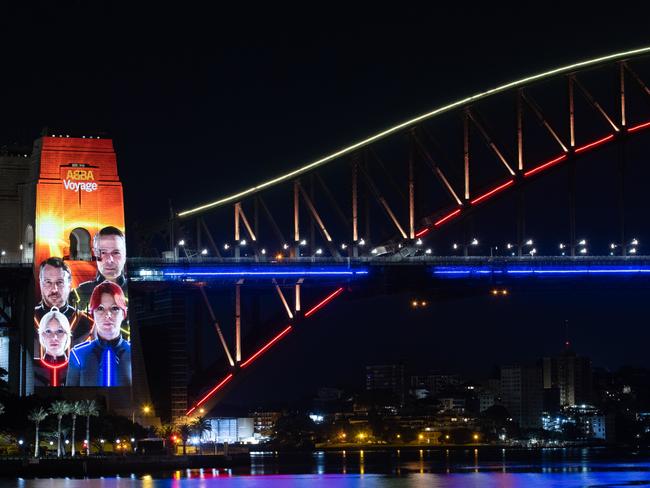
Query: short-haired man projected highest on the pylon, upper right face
[[110, 251]]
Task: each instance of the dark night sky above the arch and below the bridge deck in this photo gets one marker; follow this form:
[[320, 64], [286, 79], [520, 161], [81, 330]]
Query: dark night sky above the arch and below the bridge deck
[[200, 104]]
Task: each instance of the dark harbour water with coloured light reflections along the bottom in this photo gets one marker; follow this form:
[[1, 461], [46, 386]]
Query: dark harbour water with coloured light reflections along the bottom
[[455, 468]]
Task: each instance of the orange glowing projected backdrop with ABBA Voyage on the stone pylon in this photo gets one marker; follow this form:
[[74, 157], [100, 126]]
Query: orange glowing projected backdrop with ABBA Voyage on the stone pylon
[[78, 192]]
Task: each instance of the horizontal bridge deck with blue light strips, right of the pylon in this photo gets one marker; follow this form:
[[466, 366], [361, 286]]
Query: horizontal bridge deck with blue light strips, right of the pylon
[[479, 269]]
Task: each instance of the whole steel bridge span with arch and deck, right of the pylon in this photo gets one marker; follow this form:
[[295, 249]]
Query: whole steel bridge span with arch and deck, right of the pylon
[[534, 184]]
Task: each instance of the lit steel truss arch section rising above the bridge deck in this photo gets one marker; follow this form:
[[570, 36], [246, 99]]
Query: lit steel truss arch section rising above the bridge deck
[[609, 121]]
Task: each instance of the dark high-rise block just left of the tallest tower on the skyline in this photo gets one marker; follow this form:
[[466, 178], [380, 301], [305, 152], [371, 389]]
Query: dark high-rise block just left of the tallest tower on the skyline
[[521, 393]]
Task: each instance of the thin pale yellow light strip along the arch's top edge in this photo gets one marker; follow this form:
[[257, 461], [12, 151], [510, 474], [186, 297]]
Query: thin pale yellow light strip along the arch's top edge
[[408, 123]]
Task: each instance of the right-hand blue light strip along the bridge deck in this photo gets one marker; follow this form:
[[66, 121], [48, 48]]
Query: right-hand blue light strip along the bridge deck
[[465, 271]]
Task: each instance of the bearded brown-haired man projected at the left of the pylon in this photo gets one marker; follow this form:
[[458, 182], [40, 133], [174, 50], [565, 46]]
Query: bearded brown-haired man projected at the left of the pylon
[[55, 278]]
